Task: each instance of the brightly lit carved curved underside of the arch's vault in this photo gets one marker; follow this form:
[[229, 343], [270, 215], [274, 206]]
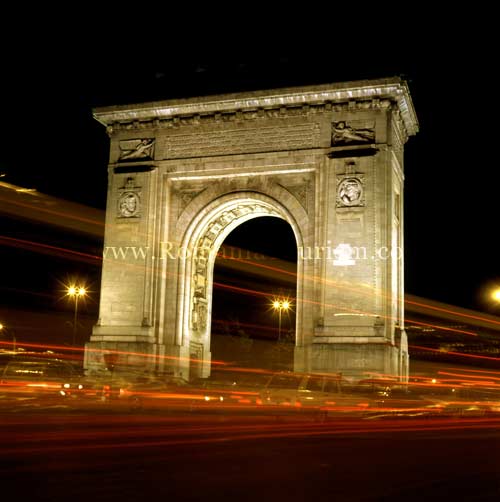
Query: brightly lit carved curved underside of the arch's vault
[[203, 238]]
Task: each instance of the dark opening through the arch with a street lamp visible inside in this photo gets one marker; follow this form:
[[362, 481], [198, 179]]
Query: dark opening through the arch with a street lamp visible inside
[[256, 263]]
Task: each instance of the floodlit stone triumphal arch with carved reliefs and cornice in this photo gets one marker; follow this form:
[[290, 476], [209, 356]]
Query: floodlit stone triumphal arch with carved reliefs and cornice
[[327, 159]]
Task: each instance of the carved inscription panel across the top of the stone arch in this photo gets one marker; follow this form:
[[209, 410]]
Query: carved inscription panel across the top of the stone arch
[[243, 140]]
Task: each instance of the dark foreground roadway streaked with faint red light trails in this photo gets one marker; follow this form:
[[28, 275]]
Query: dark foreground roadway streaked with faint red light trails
[[58, 454]]
